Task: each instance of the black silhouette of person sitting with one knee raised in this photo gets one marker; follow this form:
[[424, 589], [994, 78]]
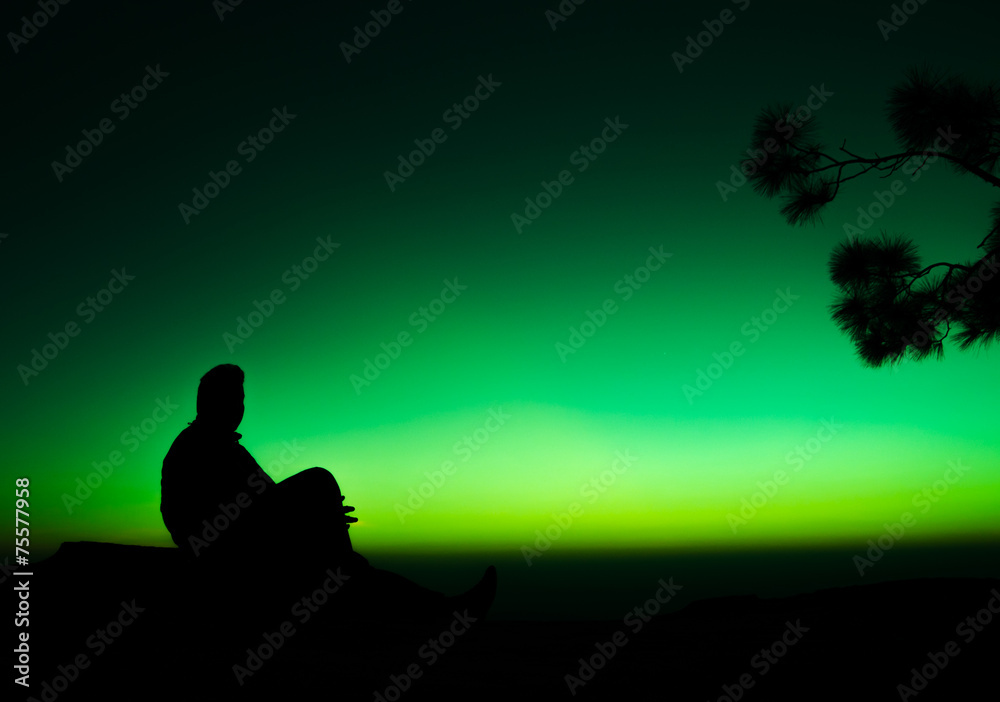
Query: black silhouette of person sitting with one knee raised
[[222, 509]]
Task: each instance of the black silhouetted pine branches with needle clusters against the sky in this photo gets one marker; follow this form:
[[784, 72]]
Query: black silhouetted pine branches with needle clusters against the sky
[[889, 304]]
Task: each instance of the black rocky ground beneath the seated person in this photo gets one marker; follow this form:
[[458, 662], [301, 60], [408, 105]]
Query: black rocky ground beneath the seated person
[[113, 622]]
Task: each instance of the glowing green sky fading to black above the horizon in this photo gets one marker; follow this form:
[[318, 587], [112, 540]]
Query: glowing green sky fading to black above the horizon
[[871, 441]]
